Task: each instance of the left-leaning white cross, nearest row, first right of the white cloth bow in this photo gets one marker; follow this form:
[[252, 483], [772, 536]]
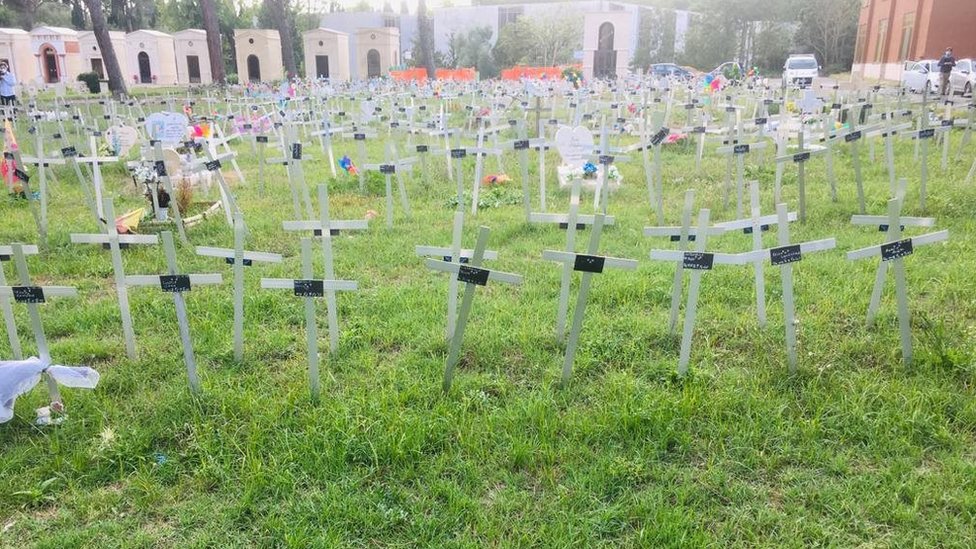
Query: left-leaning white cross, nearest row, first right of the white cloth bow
[[175, 283]]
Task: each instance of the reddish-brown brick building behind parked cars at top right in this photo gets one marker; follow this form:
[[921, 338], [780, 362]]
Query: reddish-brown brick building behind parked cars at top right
[[891, 32]]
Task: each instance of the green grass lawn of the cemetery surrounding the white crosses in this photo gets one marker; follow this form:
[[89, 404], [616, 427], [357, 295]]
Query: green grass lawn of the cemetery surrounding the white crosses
[[852, 449]]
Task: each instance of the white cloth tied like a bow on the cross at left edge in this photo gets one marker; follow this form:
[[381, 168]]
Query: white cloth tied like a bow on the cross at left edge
[[18, 377]]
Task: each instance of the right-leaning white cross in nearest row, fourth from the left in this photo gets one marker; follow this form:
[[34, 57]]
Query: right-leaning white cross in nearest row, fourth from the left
[[473, 275]]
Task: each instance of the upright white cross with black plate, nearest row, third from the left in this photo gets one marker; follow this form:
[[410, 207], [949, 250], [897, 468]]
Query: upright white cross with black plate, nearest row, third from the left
[[310, 288]]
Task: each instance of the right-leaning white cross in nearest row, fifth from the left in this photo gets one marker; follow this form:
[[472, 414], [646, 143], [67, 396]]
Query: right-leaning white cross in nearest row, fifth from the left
[[588, 264]]
